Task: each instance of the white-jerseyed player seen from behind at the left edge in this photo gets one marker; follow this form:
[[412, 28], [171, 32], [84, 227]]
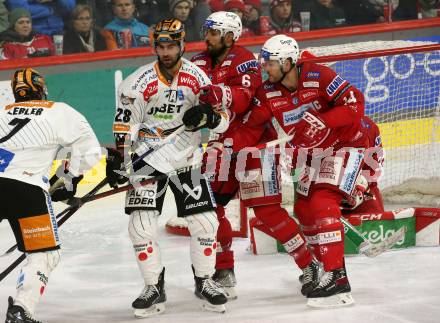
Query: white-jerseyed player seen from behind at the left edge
[[32, 131]]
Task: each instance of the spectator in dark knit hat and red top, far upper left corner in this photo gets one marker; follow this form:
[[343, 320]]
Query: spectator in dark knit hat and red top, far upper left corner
[[20, 41]]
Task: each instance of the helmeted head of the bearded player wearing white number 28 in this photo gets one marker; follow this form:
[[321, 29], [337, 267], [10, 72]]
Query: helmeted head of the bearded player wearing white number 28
[[169, 44]]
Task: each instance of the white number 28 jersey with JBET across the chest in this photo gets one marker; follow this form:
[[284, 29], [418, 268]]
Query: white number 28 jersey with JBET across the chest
[[149, 109]]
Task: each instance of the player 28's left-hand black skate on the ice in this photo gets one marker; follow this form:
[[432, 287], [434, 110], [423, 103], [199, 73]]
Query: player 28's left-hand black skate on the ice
[[152, 299]]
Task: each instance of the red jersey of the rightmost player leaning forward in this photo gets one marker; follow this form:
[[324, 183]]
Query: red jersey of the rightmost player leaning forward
[[336, 102]]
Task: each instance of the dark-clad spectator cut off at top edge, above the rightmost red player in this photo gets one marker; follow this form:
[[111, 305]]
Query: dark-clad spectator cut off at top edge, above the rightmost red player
[[325, 14]]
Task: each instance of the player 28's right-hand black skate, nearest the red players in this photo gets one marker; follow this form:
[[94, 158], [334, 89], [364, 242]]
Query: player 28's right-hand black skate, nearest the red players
[[211, 293]]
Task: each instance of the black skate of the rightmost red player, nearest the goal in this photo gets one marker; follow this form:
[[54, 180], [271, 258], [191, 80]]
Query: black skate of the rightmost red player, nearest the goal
[[333, 291]]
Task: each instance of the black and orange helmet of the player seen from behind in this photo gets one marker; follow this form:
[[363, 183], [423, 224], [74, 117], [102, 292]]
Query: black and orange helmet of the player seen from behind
[[27, 84]]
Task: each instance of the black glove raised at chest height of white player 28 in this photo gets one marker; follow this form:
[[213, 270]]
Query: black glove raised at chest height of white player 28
[[201, 116]]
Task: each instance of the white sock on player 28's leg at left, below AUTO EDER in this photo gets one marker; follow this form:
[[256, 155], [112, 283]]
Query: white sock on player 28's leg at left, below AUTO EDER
[[142, 228]]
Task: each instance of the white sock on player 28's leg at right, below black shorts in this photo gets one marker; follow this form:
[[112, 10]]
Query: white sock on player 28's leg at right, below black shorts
[[203, 230]]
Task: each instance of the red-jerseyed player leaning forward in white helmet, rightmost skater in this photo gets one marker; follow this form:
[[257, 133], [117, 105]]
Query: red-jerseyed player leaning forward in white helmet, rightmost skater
[[323, 112]]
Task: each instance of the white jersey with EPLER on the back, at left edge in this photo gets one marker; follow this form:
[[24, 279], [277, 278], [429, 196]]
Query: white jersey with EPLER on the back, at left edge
[[34, 133]]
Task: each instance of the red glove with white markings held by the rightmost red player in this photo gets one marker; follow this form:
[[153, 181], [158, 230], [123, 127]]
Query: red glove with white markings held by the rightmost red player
[[310, 130]]
